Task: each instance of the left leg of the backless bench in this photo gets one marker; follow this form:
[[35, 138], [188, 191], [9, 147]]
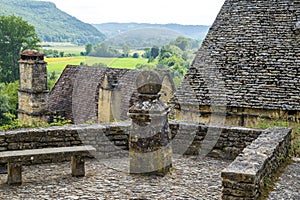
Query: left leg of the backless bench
[[14, 173]]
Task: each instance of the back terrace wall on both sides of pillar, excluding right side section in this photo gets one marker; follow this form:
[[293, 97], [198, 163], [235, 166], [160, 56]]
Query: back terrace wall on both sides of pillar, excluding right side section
[[111, 139]]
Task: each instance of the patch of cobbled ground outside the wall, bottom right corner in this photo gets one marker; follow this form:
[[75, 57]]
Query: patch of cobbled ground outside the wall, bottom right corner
[[288, 185]]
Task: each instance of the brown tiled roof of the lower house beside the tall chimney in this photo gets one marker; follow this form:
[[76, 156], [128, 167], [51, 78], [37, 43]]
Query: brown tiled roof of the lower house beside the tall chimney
[[75, 95]]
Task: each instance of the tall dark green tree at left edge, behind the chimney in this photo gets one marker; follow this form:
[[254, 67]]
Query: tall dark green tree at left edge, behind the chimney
[[16, 35]]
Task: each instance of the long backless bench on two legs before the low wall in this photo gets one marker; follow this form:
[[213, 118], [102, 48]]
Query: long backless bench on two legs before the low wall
[[15, 159]]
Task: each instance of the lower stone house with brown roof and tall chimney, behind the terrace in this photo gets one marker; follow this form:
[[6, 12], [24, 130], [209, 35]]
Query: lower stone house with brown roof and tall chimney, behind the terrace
[[81, 94]]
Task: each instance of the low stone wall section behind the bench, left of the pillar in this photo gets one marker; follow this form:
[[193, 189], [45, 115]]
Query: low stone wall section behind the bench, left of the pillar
[[109, 139]]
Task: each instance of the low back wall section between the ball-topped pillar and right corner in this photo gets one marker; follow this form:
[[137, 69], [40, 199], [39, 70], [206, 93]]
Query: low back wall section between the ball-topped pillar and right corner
[[218, 141]]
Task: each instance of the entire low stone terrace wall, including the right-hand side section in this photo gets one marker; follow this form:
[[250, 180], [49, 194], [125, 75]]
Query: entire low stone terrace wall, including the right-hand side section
[[256, 153]]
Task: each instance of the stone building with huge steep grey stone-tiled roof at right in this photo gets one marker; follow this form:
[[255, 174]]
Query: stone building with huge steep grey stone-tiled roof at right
[[248, 66]]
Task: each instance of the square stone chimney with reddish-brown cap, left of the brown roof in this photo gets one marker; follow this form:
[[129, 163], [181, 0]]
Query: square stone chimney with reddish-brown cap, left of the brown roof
[[33, 92]]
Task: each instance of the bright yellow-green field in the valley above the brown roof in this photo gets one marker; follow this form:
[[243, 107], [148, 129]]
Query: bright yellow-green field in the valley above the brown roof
[[58, 64]]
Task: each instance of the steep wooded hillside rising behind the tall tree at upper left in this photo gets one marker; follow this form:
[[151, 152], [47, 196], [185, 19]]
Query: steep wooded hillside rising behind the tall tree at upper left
[[52, 24]]
